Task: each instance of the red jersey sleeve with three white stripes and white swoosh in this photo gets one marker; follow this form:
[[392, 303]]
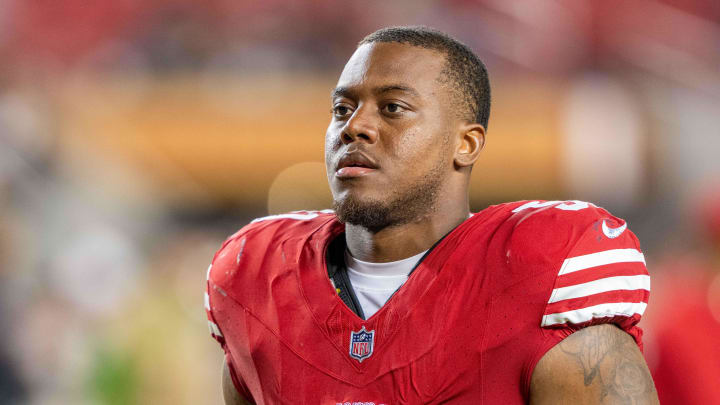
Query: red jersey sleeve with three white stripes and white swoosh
[[602, 279]]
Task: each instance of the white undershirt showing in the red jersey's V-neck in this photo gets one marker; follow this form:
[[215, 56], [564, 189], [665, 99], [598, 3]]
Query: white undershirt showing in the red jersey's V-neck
[[375, 283]]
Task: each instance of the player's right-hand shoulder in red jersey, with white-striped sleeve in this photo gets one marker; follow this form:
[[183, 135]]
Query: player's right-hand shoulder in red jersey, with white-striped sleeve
[[585, 261]]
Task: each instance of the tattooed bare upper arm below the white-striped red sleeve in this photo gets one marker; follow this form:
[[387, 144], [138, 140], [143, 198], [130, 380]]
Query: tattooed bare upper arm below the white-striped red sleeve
[[596, 365]]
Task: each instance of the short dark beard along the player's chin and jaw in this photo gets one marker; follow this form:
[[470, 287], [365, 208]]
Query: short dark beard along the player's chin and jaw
[[401, 206]]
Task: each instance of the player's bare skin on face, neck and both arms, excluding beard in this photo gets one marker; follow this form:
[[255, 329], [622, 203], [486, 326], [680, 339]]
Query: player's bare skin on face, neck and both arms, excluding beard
[[390, 105]]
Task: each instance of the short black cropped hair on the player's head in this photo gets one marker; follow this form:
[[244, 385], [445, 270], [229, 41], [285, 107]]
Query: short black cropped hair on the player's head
[[463, 67]]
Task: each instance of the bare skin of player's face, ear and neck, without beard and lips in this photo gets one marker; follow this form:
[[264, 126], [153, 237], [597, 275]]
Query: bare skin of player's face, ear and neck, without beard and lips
[[390, 104]]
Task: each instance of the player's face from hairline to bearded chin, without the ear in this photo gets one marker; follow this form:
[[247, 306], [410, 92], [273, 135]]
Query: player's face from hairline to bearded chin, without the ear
[[387, 148]]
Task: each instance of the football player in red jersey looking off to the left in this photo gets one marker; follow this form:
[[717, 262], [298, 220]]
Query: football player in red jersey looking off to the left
[[400, 295]]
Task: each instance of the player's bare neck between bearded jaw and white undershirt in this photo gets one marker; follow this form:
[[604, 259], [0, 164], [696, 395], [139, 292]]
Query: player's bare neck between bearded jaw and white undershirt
[[396, 242]]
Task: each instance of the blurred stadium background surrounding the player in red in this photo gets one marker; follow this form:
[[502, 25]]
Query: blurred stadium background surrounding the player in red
[[136, 135]]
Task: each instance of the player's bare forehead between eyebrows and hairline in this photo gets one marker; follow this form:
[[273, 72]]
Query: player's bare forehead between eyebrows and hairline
[[382, 64]]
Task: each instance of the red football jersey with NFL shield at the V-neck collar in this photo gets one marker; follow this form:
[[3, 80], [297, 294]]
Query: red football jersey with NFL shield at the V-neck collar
[[468, 326]]
